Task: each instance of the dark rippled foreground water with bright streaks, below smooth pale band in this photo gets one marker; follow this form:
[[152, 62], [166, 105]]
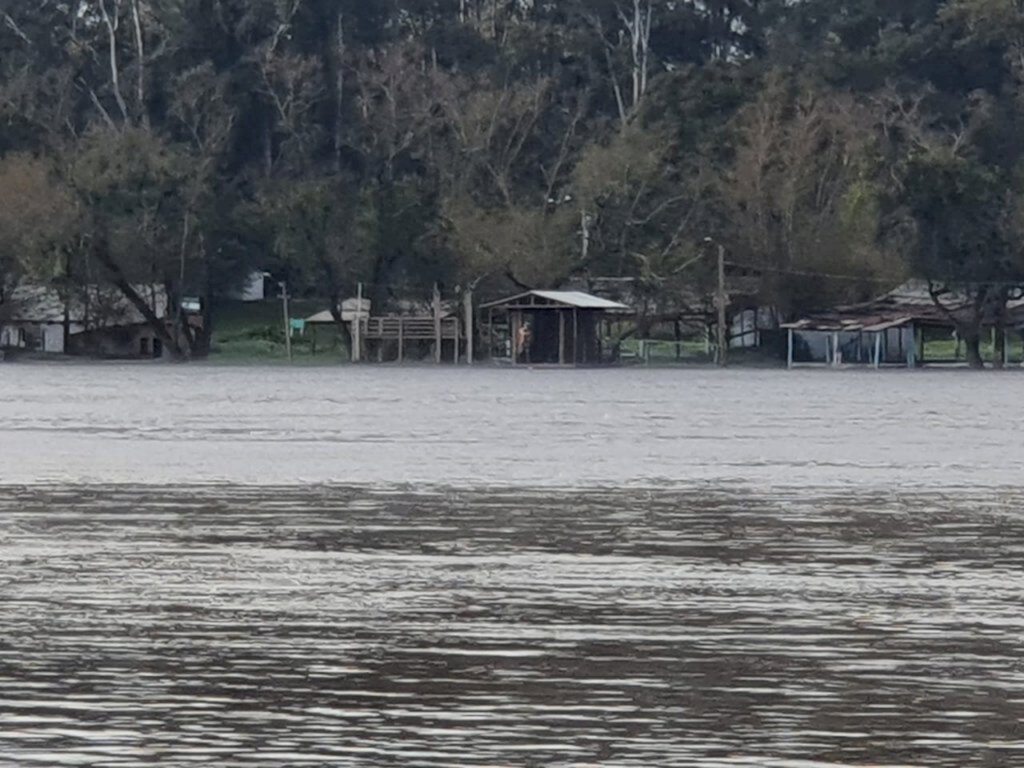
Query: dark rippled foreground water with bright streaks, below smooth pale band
[[281, 626]]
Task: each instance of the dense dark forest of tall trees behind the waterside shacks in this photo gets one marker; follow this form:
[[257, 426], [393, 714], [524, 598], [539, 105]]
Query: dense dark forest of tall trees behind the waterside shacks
[[838, 146]]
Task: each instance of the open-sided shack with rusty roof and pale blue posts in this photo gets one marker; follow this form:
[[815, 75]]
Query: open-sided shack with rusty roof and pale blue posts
[[892, 330]]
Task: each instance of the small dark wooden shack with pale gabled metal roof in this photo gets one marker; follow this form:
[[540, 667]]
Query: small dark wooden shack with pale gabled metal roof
[[550, 328]]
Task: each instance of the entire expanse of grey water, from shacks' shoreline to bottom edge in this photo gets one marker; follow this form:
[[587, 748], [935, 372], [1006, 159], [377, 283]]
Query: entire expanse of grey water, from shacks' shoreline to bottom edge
[[421, 568]]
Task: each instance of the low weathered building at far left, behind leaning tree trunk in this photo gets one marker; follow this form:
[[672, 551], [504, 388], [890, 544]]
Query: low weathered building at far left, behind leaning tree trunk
[[95, 321]]
